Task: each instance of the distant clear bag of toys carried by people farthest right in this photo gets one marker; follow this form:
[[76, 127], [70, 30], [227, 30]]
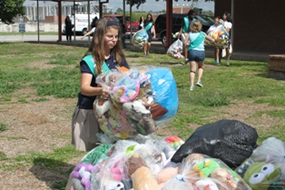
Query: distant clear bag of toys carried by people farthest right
[[221, 37]]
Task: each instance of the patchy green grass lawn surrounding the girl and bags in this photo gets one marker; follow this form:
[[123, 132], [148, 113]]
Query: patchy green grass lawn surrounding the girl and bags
[[240, 92]]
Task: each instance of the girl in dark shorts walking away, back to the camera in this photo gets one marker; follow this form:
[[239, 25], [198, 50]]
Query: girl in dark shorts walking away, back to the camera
[[196, 52]]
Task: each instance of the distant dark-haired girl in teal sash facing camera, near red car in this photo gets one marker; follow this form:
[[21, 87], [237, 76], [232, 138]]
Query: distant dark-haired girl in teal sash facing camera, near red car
[[149, 27]]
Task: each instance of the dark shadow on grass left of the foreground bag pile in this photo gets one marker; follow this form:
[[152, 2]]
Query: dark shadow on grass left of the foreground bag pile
[[53, 172]]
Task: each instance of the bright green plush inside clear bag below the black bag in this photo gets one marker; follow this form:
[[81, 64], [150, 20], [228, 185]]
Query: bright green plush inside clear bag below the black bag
[[206, 167]]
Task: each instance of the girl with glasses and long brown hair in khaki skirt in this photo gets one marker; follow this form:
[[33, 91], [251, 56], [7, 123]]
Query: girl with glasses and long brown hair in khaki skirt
[[104, 53]]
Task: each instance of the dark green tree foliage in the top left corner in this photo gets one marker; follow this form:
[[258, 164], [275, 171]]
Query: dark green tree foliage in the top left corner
[[10, 9]]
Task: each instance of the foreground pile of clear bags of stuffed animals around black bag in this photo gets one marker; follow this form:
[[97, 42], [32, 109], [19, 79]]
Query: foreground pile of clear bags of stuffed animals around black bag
[[145, 163]]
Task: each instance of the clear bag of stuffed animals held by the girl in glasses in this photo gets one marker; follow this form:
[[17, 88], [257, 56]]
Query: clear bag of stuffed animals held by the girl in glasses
[[142, 100]]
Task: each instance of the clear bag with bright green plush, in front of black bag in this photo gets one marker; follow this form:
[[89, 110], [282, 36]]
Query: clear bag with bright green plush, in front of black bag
[[200, 172]]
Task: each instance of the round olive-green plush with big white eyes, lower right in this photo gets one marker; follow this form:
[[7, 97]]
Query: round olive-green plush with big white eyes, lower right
[[260, 175]]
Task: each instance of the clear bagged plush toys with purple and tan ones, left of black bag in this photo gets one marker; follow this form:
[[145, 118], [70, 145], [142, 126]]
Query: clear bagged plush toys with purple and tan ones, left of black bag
[[125, 165]]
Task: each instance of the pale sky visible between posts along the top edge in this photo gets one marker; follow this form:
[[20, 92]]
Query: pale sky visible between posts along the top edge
[[150, 5]]
